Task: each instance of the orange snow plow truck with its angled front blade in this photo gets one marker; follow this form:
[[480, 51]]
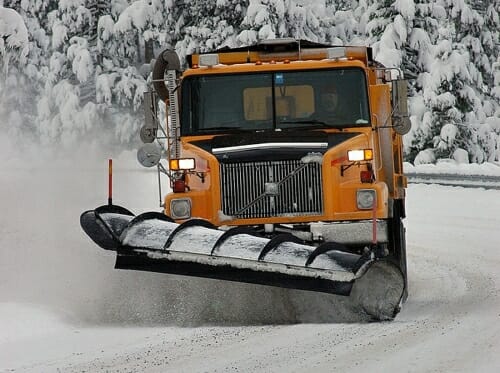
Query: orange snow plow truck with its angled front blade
[[284, 160]]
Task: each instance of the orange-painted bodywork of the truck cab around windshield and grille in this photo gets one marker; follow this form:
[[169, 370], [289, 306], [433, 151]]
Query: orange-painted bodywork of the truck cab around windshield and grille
[[340, 178]]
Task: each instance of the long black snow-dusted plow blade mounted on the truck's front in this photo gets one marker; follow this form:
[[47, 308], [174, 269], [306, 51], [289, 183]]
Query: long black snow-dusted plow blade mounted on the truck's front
[[153, 242]]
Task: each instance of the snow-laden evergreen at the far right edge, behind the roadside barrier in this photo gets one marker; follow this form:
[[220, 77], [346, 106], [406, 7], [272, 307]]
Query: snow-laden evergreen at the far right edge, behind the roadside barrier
[[454, 89]]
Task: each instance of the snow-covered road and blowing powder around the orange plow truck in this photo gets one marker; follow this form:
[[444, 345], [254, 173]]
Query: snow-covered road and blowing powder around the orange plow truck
[[64, 308]]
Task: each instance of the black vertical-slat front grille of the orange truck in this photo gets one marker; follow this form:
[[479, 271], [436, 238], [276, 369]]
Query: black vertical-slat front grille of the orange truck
[[271, 188]]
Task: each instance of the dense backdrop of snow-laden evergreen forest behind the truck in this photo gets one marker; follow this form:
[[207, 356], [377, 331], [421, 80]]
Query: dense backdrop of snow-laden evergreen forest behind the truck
[[86, 62]]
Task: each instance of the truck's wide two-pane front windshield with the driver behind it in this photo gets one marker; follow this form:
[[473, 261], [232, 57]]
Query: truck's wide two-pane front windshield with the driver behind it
[[275, 100]]
